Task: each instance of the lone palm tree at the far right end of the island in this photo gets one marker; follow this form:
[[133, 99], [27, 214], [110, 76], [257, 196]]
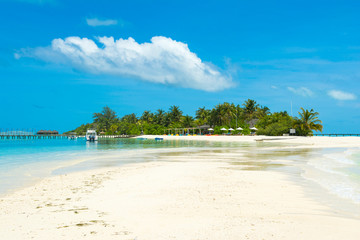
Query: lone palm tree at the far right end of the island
[[308, 121]]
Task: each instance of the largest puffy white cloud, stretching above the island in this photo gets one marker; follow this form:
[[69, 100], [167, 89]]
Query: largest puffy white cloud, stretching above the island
[[162, 60]]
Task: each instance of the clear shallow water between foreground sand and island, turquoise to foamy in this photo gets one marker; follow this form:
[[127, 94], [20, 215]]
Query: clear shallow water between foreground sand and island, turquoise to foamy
[[22, 162]]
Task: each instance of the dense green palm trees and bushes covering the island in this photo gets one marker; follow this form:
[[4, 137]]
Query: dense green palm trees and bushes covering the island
[[227, 115]]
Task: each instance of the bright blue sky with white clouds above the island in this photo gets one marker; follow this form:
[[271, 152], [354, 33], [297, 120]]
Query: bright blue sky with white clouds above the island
[[61, 61]]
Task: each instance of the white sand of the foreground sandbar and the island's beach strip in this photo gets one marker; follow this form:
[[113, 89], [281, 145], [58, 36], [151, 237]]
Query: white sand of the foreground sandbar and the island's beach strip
[[184, 196]]
